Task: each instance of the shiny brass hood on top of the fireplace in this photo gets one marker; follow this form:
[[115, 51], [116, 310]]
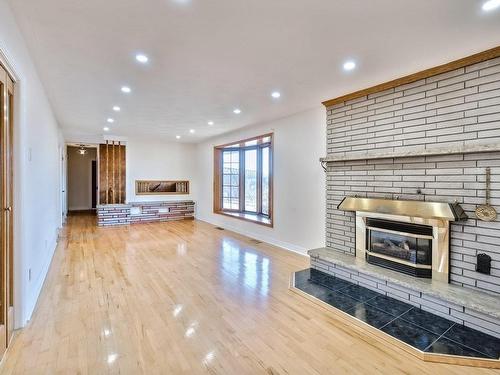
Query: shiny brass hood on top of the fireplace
[[425, 210]]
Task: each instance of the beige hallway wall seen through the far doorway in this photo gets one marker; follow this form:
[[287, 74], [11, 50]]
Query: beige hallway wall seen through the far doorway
[[80, 178]]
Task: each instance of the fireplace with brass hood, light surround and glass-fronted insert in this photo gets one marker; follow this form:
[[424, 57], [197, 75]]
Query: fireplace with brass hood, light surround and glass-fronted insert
[[410, 237]]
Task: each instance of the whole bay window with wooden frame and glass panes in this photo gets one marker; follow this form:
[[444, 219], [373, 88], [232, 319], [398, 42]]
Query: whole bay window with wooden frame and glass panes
[[243, 179]]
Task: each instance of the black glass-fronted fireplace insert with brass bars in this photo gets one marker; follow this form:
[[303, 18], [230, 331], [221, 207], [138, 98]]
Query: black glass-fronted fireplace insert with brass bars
[[404, 247]]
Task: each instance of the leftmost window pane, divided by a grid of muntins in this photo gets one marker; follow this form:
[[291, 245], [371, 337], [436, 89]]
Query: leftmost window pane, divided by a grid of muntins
[[230, 180]]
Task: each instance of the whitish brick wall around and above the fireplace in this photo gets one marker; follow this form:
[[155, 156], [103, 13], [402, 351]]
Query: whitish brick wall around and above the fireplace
[[460, 109]]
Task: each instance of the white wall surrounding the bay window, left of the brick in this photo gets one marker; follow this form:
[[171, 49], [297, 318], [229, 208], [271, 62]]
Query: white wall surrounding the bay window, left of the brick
[[299, 182]]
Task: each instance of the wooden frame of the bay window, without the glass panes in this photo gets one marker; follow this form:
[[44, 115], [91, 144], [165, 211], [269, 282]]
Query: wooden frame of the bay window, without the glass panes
[[254, 217]]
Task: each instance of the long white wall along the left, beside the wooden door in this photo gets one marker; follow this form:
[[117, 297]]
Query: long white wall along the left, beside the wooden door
[[37, 211]]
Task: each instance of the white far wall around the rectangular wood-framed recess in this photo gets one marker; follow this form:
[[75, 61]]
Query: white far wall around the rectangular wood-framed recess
[[156, 160]]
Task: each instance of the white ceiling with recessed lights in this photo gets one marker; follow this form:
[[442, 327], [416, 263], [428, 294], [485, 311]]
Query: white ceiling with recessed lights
[[209, 56]]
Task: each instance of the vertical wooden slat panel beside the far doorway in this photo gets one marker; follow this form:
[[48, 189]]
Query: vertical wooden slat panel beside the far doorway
[[112, 173]]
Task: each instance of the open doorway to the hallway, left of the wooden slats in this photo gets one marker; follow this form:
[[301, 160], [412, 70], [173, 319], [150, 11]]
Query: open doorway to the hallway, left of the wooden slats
[[82, 178]]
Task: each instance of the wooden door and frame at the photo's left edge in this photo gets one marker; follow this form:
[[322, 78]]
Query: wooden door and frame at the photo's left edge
[[7, 209]]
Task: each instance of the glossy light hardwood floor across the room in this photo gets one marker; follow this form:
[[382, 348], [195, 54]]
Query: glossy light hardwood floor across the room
[[186, 298]]
